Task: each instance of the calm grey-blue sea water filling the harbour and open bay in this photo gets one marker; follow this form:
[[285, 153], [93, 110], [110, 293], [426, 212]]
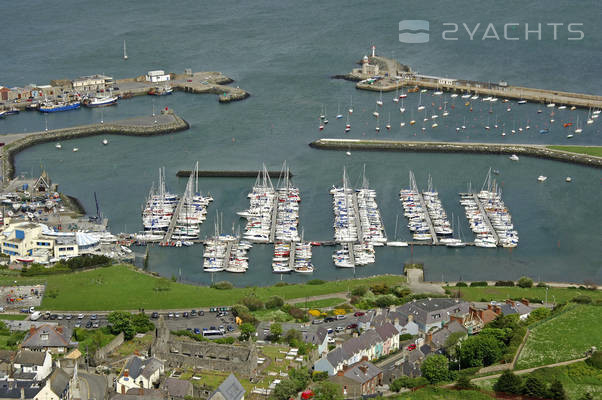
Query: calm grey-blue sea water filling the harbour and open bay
[[284, 55]]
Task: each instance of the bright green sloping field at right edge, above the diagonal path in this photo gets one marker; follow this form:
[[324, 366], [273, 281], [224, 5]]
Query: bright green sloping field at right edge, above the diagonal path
[[565, 337]]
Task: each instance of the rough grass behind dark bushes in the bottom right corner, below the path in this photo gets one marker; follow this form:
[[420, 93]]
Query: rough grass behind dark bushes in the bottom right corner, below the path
[[577, 379]]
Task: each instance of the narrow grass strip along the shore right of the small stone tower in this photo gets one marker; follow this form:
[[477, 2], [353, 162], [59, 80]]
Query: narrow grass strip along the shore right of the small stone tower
[[500, 293]]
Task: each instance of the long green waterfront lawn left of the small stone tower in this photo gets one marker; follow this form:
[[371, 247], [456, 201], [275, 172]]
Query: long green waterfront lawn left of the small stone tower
[[121, 287]]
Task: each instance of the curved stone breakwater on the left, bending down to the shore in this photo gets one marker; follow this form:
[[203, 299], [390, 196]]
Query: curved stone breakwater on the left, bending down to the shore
[[139, 126]]
